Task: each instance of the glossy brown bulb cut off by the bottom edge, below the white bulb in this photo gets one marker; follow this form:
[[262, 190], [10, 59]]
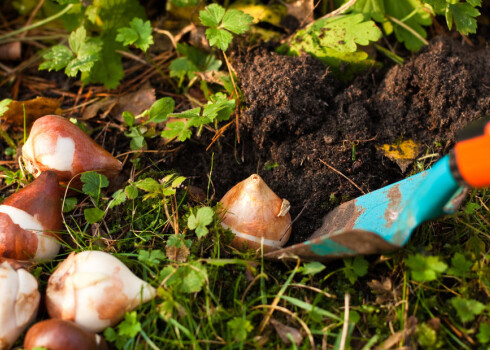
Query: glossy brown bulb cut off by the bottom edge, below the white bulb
[[56, 334]]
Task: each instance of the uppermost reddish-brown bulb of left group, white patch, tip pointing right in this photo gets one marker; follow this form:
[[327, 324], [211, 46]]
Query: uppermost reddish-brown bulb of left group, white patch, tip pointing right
[[55, 143]]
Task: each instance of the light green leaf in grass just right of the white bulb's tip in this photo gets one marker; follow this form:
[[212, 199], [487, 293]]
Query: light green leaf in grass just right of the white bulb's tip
[[188, 278]]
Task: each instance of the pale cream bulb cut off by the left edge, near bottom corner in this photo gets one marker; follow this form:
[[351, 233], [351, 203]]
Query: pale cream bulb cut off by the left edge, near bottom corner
[[18, 303]]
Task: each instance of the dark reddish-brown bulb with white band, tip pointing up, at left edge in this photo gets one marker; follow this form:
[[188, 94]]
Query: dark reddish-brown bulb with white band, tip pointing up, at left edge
[[29, 220]]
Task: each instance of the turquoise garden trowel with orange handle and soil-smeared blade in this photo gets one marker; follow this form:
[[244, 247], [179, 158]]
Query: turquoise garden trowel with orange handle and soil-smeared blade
[[384, 219]]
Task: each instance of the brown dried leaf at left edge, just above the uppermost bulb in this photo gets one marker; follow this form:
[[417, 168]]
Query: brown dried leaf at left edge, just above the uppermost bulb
[[35, 108]]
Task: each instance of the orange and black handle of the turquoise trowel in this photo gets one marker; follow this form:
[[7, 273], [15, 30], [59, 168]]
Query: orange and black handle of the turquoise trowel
[[471, 159]]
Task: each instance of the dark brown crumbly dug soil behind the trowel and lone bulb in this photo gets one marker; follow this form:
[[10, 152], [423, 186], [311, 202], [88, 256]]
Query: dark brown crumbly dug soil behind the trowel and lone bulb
[[299, 118]]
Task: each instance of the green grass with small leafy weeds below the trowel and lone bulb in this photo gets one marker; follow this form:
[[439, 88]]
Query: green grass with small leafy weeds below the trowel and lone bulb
[[424, 293]]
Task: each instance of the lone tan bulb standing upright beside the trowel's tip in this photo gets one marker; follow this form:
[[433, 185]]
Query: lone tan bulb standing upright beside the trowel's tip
[[256, 215]]
